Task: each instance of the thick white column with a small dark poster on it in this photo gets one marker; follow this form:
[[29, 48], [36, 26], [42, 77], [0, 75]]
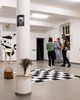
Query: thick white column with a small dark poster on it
[[23, 29]]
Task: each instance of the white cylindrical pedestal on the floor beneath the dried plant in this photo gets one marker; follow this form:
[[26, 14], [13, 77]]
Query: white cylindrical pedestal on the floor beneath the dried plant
[[23, 84]]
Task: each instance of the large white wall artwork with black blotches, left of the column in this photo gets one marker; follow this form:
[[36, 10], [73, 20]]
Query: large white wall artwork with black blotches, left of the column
[[9, 41]]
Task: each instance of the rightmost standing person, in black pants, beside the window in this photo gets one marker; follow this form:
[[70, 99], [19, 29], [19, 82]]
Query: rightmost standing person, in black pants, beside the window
[[64, 52]]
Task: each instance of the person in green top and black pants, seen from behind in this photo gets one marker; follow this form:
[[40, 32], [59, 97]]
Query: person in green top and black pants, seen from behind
[[51, 53]]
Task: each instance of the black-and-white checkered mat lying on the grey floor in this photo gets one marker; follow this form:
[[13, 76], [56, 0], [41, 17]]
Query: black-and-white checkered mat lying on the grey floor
[[42, 75]]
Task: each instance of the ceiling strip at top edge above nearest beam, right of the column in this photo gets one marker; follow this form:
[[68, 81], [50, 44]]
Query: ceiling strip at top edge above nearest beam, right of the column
[[66, 4]]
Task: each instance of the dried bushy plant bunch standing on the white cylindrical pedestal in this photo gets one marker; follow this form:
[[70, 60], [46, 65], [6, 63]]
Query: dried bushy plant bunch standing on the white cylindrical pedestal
[[25, 63]]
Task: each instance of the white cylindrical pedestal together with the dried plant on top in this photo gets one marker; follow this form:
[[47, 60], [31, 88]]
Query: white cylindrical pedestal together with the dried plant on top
[[23, 84]]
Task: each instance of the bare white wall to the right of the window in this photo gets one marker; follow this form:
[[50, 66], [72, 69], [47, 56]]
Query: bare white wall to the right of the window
[[75, 41]]
